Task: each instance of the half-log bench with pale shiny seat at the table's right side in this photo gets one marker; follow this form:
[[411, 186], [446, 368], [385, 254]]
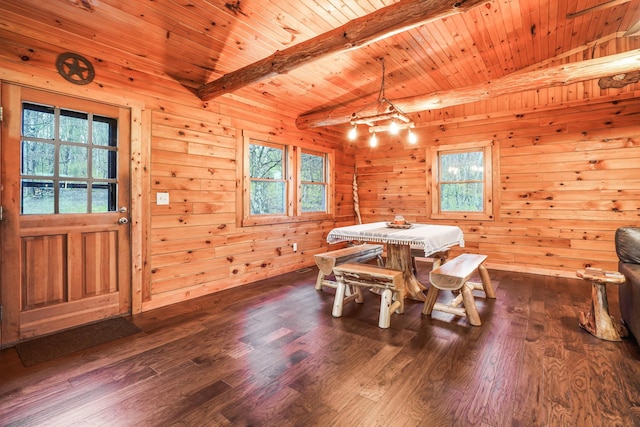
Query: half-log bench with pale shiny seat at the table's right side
[[454, 276]]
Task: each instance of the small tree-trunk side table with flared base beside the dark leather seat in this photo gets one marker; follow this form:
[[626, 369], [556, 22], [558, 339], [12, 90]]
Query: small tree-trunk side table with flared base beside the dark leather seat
[[597, 320]]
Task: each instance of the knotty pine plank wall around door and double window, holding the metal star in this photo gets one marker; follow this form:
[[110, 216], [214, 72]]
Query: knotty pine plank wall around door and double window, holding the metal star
[[187, 148]]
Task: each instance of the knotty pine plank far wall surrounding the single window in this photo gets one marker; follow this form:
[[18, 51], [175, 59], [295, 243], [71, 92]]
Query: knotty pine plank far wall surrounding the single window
[[568, 174]]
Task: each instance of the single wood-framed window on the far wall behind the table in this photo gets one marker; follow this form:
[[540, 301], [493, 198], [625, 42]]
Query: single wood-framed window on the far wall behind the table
[[462, 181]]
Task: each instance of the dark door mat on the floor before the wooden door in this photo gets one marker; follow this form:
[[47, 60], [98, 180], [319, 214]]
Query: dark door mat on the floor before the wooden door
[[51, 347]]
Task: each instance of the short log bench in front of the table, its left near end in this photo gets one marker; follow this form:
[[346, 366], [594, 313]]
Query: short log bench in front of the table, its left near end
[[358, 276]]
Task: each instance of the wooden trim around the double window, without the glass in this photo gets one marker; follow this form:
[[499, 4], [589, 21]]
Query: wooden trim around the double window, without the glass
[[293, 190]]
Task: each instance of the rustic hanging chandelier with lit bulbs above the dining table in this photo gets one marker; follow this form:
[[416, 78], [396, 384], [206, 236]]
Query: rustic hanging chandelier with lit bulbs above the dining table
[[385, 117]]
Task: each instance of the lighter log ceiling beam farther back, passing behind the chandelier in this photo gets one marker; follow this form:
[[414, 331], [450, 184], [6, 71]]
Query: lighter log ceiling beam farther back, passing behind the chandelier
[[517, 82]]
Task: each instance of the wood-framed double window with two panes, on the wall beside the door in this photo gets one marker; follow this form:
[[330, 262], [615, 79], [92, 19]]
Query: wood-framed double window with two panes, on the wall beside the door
[[284, 182]]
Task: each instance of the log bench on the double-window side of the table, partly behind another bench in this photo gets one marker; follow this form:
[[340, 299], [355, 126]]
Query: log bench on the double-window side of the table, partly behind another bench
[[356, 253]]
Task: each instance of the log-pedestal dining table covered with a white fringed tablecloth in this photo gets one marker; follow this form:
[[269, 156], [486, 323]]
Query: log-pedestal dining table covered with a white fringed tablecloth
[[399, 239]]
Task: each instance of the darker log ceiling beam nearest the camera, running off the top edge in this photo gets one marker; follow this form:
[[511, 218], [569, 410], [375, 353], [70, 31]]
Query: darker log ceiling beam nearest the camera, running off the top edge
[[385, 22]]
